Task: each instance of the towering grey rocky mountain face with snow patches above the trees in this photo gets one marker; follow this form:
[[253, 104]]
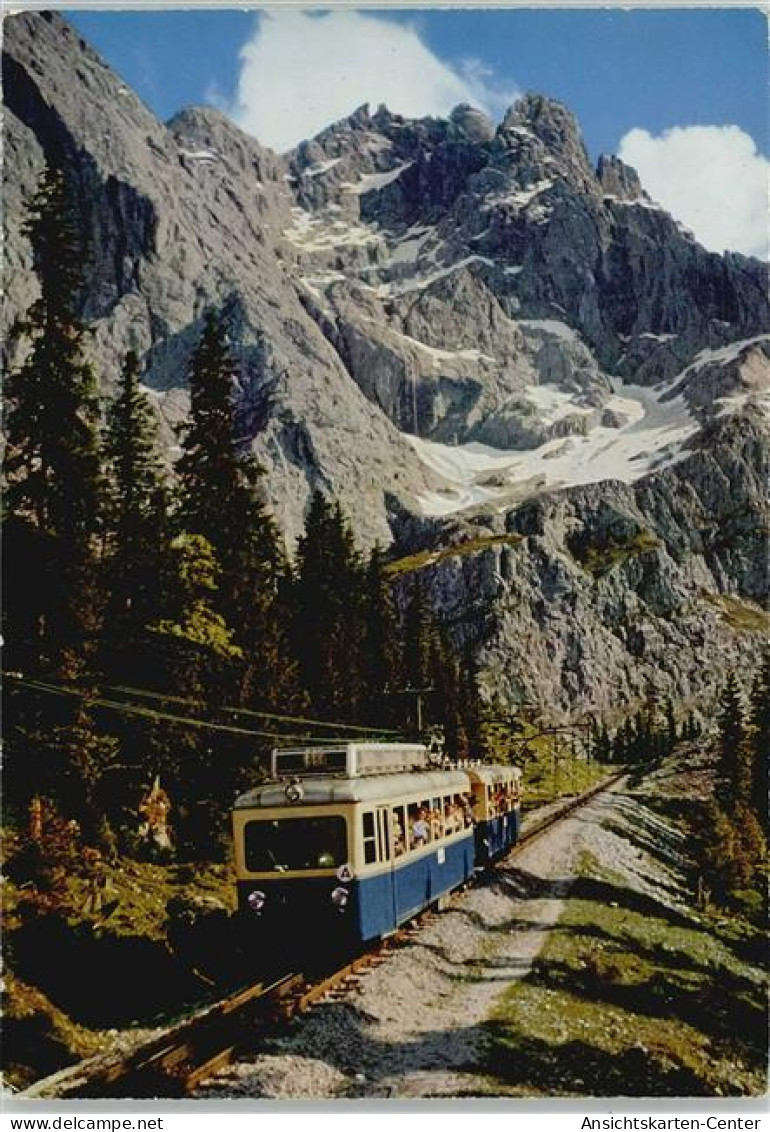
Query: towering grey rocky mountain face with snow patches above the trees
[[463, 332]]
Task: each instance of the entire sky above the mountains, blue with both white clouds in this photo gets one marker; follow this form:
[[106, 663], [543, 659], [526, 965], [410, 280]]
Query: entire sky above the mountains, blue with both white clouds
[[680, 93]]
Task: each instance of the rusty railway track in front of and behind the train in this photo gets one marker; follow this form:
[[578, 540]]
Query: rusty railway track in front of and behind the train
[[175, 1064]]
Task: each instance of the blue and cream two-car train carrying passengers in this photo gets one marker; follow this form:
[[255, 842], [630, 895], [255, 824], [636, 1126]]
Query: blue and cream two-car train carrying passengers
[[346, 844]]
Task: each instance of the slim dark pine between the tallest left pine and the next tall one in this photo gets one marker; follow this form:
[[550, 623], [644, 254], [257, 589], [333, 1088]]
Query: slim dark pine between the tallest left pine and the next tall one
[[138, 521]]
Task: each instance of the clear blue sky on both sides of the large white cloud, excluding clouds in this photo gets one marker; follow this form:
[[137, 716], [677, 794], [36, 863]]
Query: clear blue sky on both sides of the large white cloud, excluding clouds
[[615, 70]]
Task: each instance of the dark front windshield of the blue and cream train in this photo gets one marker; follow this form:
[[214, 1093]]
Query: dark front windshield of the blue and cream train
[[296, 844]]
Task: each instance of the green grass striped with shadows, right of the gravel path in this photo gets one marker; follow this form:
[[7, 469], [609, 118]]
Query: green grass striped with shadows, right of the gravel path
[[631, 999]]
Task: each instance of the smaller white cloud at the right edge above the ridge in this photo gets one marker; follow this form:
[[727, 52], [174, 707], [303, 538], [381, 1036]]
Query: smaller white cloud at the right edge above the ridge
[[712, 178]]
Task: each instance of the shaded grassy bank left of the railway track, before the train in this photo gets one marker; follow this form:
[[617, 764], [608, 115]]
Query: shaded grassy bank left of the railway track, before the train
[[74, 973]]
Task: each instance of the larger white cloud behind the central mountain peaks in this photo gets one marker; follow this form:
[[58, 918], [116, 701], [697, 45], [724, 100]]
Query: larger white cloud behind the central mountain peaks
[[302, 72]]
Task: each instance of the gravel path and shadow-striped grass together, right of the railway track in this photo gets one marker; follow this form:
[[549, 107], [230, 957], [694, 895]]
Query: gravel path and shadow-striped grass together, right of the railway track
[[495, 996]]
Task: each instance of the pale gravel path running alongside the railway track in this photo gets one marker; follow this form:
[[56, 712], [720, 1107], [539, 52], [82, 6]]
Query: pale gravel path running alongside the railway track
[[414, 1025]]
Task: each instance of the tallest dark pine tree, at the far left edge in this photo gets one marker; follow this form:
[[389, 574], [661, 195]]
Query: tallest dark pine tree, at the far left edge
[[53, 462]]
